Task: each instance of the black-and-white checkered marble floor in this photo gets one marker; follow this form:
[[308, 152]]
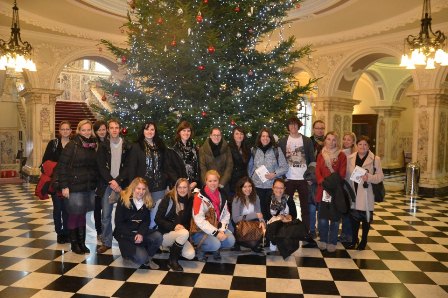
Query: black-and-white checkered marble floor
[[406, 256]]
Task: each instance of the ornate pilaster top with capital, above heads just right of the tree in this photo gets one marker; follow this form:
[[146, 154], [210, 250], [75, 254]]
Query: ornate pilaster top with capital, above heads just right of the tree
[[336, 112]]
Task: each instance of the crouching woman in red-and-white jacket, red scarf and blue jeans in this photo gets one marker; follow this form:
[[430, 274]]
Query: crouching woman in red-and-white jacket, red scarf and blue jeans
[[210, 219]]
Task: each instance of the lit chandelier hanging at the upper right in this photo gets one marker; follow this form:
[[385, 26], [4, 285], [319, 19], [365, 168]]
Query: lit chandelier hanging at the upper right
[[427, 47]]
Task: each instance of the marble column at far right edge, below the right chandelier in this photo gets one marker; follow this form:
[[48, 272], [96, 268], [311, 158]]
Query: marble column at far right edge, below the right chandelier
[[430, 144]]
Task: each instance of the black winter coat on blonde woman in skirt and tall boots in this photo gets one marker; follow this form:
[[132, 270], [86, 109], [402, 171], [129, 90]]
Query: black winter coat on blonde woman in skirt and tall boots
[[77, 168]]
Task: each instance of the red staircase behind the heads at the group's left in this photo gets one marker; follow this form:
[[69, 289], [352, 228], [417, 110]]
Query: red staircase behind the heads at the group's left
[[73, 111]]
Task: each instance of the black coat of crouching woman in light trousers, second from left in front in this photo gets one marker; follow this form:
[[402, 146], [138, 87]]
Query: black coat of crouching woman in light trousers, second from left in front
[[166, 222]]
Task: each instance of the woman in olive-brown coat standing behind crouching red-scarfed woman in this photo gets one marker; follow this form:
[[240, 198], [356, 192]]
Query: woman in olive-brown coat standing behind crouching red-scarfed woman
[[215, 155]]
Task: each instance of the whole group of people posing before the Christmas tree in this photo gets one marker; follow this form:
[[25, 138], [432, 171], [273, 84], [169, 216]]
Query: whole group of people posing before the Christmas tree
[[97, 168]]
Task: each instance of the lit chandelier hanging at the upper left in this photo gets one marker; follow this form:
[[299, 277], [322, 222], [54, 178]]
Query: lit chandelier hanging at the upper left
[[16, 54]]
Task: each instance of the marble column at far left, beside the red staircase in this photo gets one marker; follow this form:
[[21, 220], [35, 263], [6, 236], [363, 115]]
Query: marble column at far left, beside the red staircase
[[40, 117]]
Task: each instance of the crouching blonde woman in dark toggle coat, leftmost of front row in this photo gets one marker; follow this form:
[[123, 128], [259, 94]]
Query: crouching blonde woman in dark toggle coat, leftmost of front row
[[136, 240]]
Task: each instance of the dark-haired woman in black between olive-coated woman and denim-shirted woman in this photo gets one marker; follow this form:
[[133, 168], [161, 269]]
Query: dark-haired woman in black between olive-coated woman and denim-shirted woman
[[240, 156]]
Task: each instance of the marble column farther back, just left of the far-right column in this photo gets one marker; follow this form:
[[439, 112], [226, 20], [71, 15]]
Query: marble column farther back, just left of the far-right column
[[387, 146]]
